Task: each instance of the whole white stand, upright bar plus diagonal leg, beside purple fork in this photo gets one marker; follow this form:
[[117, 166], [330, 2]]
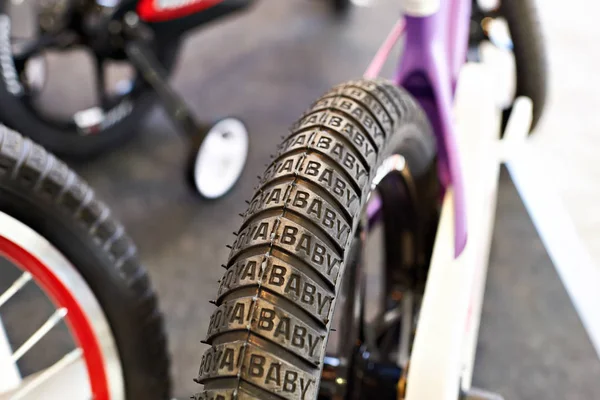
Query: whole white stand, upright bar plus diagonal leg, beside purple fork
[[443, 353]]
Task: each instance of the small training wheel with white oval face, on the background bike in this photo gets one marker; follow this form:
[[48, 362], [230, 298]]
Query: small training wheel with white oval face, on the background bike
[[218, 161]]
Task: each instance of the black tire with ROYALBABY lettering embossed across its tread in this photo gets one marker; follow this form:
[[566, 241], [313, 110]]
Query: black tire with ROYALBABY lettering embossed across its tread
[[276, 299]]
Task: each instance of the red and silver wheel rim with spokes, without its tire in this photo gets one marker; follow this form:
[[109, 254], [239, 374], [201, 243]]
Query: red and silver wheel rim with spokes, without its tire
[[42, 264]]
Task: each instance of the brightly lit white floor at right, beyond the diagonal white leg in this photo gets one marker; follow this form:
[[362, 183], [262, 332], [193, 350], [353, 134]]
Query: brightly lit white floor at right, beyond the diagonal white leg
[[570, 128]]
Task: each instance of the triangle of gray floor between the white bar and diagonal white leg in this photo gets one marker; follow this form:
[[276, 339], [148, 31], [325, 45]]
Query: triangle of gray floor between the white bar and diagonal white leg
[[532, 344]]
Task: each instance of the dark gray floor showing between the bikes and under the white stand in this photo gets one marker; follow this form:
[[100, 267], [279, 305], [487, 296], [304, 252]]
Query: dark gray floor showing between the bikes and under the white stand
[[267, 66]]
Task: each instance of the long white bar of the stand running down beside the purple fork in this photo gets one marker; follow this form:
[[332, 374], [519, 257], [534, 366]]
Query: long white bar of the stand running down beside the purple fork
[[444, 348]]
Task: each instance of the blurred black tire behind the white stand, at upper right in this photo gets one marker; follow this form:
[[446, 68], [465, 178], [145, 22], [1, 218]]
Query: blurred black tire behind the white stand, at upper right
[[530, 53]]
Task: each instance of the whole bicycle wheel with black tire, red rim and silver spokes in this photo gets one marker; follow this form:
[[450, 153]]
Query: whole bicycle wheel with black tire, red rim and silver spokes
[[68, 264]]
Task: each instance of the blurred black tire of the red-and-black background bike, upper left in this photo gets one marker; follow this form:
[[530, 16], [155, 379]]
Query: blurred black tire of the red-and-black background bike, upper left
[[63, 138]]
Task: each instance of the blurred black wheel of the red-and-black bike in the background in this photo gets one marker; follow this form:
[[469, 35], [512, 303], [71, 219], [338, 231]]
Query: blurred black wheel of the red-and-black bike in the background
[[72, 130]]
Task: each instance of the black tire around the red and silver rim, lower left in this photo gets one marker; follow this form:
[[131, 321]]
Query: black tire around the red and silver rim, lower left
[[43, 193]]
